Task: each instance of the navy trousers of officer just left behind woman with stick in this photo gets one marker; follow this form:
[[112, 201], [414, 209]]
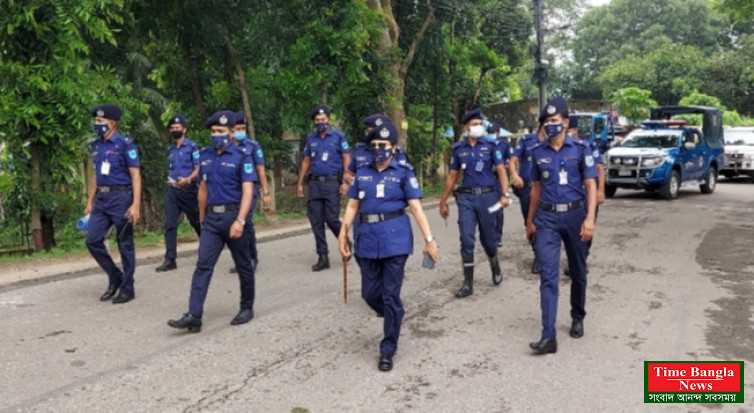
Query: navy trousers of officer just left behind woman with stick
[[323, 207]]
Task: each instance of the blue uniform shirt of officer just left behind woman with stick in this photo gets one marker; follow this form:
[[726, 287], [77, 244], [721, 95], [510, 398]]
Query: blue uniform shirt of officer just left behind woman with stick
[[326, 153]]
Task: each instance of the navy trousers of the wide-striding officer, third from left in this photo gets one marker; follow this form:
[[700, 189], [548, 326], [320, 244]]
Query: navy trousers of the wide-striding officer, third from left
[[215, 235]]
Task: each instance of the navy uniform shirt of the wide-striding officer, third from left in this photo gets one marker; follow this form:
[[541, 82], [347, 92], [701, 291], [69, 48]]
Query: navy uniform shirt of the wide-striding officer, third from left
[[225, 173]]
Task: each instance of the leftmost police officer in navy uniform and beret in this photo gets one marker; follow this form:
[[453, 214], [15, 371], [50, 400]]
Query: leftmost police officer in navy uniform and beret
[[114, 199]]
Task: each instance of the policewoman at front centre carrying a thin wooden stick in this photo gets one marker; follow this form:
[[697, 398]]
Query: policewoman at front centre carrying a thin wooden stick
[[378, 198]]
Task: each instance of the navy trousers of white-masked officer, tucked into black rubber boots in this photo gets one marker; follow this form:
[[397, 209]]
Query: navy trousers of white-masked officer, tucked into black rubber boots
[[472, 210]]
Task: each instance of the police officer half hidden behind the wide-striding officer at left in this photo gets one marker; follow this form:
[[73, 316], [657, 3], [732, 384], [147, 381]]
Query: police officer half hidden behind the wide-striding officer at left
[[254, 149]]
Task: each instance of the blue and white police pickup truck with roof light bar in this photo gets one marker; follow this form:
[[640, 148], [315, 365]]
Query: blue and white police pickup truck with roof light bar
[[667, 154]]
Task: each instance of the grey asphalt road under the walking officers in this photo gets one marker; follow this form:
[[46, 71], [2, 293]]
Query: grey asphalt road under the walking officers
[[667, 281]]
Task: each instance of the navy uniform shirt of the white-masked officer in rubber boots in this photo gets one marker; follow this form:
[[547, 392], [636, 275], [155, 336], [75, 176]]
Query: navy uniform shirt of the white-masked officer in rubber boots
[[477, 163]]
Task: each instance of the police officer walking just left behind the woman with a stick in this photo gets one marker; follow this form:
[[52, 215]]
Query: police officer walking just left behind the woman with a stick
[[325, 156]]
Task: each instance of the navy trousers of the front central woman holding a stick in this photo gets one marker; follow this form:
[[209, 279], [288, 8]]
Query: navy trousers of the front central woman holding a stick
[[381, 282]]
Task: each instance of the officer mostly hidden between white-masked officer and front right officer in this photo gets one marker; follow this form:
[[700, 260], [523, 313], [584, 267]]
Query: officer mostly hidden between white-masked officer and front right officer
[[520, 166]]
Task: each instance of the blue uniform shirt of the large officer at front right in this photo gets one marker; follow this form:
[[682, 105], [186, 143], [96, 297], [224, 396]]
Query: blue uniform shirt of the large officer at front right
[[562, 173]]
